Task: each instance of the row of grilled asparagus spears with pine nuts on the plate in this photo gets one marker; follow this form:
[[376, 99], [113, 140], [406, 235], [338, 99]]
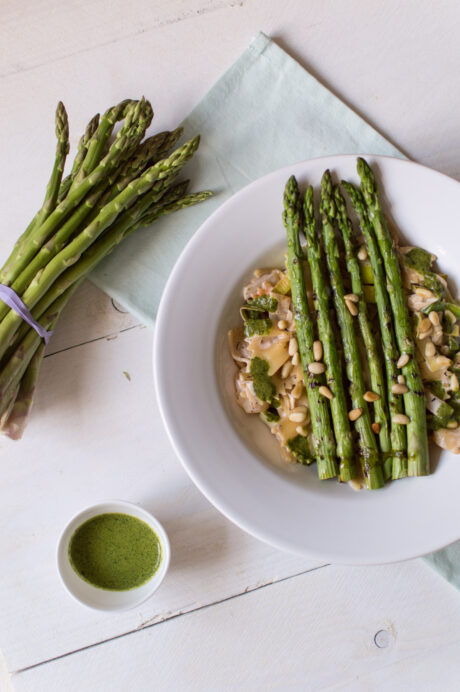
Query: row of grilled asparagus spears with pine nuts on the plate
[[392, 442]]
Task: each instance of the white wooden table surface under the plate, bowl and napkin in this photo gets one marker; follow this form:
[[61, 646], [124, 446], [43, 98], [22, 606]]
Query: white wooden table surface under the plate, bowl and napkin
[[233, 613]]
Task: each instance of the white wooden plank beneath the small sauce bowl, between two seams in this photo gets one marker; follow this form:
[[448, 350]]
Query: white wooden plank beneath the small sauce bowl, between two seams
[[94, 435]]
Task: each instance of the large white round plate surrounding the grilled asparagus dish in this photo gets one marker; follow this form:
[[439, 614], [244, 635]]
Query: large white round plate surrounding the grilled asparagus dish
[[232, 457]]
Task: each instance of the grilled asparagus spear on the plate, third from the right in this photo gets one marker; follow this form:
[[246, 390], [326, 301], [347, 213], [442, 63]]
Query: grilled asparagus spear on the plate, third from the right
[[376, 372]]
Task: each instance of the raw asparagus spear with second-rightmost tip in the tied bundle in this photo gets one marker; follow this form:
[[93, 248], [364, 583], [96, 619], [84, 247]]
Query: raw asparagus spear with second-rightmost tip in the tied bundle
[[73, 250]]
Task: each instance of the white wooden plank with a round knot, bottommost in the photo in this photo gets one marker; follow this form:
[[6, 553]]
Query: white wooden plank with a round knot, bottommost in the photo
[[314, 632]]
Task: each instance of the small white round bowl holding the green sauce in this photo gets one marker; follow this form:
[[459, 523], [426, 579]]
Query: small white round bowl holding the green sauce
[[102, 599]]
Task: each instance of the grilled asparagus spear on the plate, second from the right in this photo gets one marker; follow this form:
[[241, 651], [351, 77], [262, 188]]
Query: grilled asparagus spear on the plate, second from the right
[[390, 350]]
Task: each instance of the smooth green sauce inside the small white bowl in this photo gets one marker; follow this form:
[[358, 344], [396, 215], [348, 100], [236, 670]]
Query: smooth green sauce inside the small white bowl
[[115, 551]]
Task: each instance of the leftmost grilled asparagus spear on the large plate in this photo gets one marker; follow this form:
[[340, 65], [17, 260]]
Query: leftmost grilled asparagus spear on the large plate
[[323, 437]]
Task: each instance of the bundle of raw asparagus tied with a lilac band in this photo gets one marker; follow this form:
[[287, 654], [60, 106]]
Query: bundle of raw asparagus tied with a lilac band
[[117, 184]]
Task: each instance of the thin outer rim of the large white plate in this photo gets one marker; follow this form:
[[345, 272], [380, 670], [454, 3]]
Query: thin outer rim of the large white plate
[[221, 505]]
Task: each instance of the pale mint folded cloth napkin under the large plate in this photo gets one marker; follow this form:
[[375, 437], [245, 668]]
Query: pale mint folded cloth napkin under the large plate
[[265, 112]]
